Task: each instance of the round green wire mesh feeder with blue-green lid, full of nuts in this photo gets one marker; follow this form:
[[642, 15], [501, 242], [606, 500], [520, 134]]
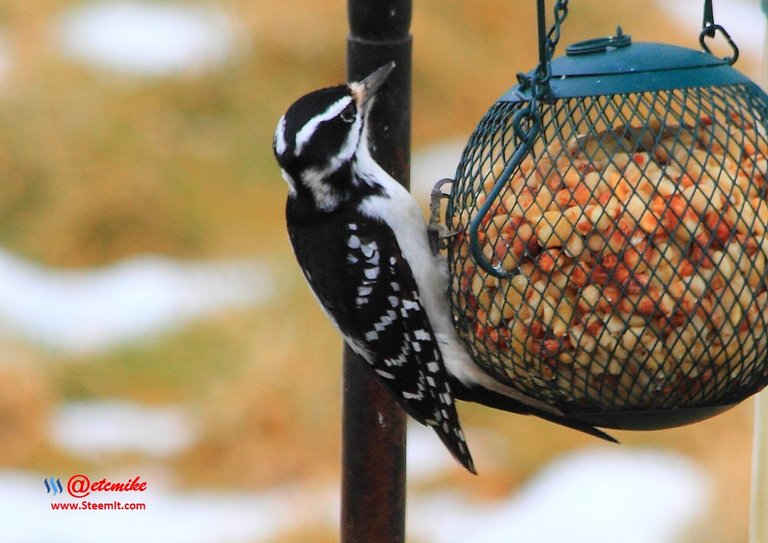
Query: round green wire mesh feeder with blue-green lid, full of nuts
[[610, 215]]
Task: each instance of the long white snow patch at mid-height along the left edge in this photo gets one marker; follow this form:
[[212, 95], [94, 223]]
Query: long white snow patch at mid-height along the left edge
[[92, 310]]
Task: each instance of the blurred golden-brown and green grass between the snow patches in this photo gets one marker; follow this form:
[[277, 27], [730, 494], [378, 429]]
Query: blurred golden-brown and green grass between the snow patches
[[97, 166]]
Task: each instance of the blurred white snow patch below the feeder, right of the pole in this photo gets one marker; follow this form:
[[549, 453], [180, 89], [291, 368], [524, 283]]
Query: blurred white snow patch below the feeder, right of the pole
[[594, 496]]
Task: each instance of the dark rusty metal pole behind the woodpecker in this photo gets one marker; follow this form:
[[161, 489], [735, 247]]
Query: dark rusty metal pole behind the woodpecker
[[373, 426]]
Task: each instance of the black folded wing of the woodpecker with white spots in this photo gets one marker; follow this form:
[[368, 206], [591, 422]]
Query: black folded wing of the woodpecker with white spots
[[368, 290]]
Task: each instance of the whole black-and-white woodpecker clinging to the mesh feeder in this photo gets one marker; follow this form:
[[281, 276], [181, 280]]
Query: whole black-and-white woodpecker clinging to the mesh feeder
[[361, 241]]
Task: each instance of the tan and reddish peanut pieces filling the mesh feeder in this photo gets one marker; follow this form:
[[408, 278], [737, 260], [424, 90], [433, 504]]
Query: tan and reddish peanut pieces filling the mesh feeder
[[635, 260]]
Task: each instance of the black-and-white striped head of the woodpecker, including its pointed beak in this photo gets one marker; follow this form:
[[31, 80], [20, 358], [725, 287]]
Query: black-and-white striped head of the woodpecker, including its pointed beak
[[320, 134]]
